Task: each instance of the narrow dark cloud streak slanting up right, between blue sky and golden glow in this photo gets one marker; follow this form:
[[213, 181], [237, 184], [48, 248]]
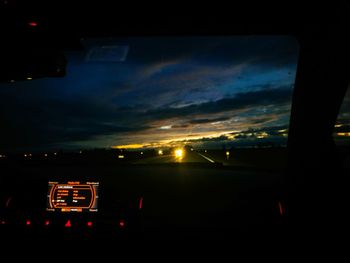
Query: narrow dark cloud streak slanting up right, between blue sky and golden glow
[[274, 96]]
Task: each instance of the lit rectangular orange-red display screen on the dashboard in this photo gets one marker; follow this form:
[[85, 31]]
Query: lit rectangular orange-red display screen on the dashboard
[[72, 196]]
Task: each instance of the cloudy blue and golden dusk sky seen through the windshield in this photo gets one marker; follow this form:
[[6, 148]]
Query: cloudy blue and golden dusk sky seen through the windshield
[[135, 93]]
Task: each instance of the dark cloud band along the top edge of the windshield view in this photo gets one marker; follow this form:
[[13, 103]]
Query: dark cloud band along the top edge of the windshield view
[[217, 49]]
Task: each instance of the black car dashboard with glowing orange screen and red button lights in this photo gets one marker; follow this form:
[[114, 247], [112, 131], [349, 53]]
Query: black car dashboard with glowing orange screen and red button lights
[[137, 202]]
